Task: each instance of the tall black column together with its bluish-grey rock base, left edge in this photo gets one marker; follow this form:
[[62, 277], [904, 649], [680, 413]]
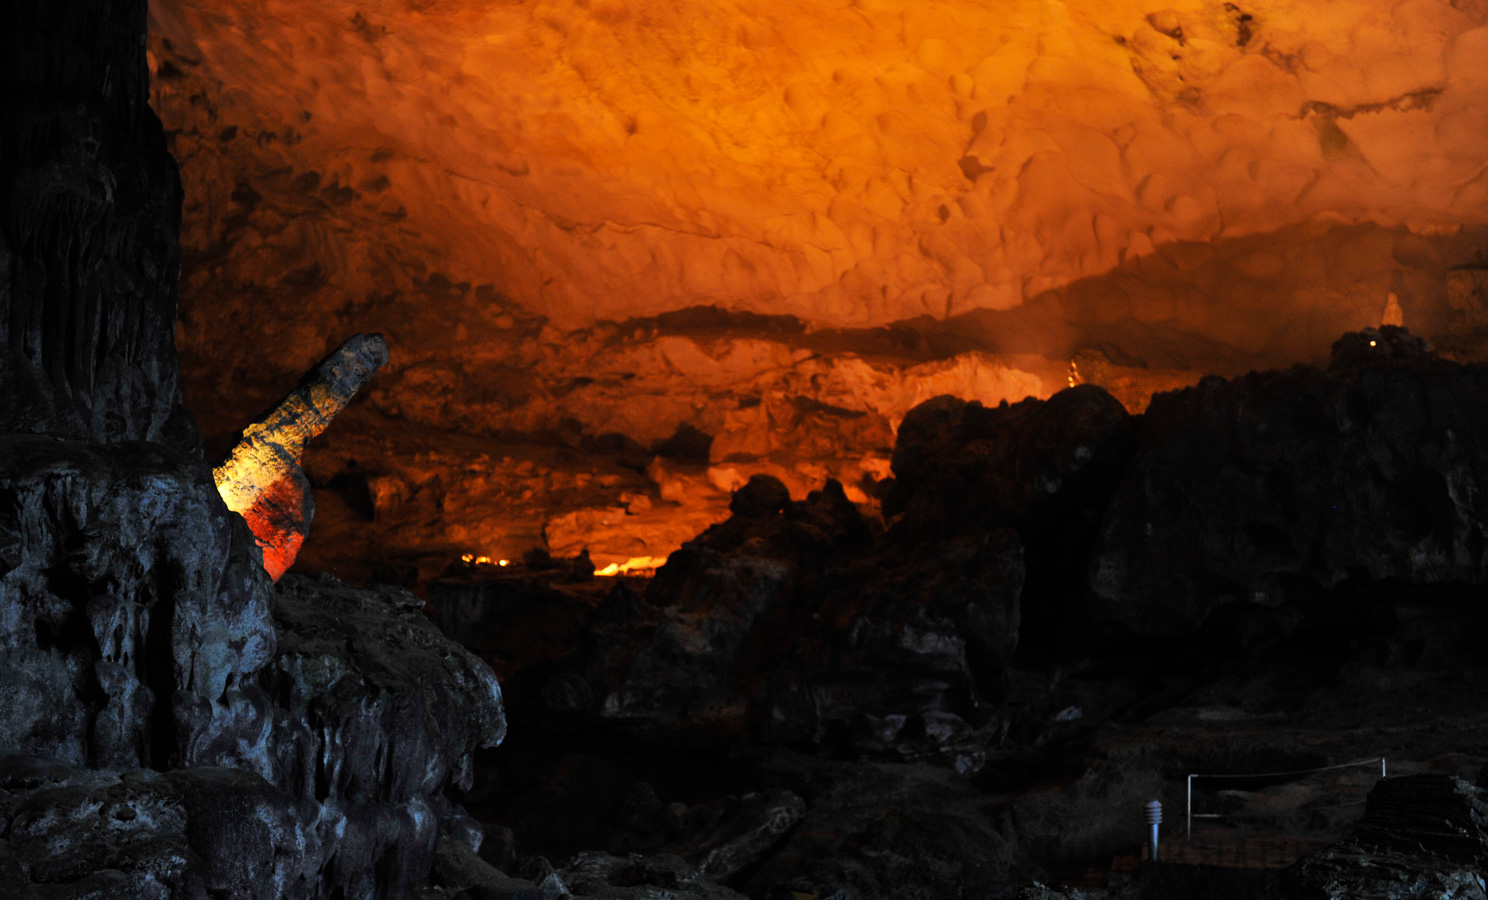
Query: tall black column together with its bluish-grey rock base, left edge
[[170, 724]]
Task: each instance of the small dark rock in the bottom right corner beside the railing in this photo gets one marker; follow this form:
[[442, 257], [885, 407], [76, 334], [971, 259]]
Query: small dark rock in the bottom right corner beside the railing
[[1423, 838]]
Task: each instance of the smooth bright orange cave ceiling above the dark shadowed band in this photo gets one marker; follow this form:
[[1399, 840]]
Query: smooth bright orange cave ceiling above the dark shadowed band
[[852, 163]]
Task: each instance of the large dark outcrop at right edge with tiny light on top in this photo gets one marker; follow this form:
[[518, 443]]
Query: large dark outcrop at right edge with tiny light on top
[[1261, 489]]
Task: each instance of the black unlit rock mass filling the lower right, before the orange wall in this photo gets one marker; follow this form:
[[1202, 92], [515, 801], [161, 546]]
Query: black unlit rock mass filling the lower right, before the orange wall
[[807, 704]]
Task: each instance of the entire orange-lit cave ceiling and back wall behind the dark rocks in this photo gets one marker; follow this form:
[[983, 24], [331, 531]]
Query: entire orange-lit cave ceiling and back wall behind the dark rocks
[[911, 199]]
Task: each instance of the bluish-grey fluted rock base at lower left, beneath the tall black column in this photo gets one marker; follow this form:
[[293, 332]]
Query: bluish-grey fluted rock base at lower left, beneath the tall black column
[[304, 756]]
